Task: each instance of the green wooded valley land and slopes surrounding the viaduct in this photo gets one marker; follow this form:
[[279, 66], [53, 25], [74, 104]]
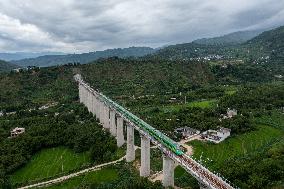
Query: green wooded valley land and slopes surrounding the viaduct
[[168, 90]]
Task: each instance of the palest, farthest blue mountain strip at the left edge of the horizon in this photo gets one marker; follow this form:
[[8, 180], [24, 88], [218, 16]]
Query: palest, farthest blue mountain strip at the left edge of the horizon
[[24, 55]]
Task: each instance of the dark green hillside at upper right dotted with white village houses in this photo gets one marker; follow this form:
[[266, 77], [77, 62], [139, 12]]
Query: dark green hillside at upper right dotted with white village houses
[[266, 47]]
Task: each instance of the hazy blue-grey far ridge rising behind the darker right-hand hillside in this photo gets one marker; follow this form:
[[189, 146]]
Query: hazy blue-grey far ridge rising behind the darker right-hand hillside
[[229, 39]]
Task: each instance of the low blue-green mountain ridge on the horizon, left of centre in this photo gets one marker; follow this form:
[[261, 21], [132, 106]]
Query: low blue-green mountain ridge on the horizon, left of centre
[[51, 60]]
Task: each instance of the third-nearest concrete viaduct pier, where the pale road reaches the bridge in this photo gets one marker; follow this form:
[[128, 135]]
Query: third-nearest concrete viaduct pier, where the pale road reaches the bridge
[[130, 150]]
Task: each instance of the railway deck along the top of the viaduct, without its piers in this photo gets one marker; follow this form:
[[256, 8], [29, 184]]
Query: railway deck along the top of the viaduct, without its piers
[[197, 170]]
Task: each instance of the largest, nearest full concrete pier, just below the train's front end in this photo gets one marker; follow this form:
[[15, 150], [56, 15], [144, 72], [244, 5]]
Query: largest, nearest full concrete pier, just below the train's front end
[[168, 171]]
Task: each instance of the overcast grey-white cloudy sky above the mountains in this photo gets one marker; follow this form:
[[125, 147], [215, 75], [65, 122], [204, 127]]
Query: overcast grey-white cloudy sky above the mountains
[[90, 25]]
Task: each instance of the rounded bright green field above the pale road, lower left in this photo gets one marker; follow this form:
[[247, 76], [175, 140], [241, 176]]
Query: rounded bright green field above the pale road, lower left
[[49, 163]]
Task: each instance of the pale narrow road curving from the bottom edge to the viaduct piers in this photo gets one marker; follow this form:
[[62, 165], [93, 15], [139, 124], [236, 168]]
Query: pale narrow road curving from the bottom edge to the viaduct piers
[[66, 177]]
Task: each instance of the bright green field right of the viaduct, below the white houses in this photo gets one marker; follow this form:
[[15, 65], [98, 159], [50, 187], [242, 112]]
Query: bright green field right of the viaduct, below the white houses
[[235, 146]]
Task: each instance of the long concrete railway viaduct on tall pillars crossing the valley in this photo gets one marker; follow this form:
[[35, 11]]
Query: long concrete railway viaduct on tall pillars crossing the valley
[[115, 117]]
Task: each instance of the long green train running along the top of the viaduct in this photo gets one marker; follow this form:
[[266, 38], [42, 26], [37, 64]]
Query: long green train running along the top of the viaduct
[[159, 136]]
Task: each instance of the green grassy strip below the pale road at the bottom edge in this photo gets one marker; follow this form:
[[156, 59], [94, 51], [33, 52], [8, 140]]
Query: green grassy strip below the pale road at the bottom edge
[[104, 175]]
